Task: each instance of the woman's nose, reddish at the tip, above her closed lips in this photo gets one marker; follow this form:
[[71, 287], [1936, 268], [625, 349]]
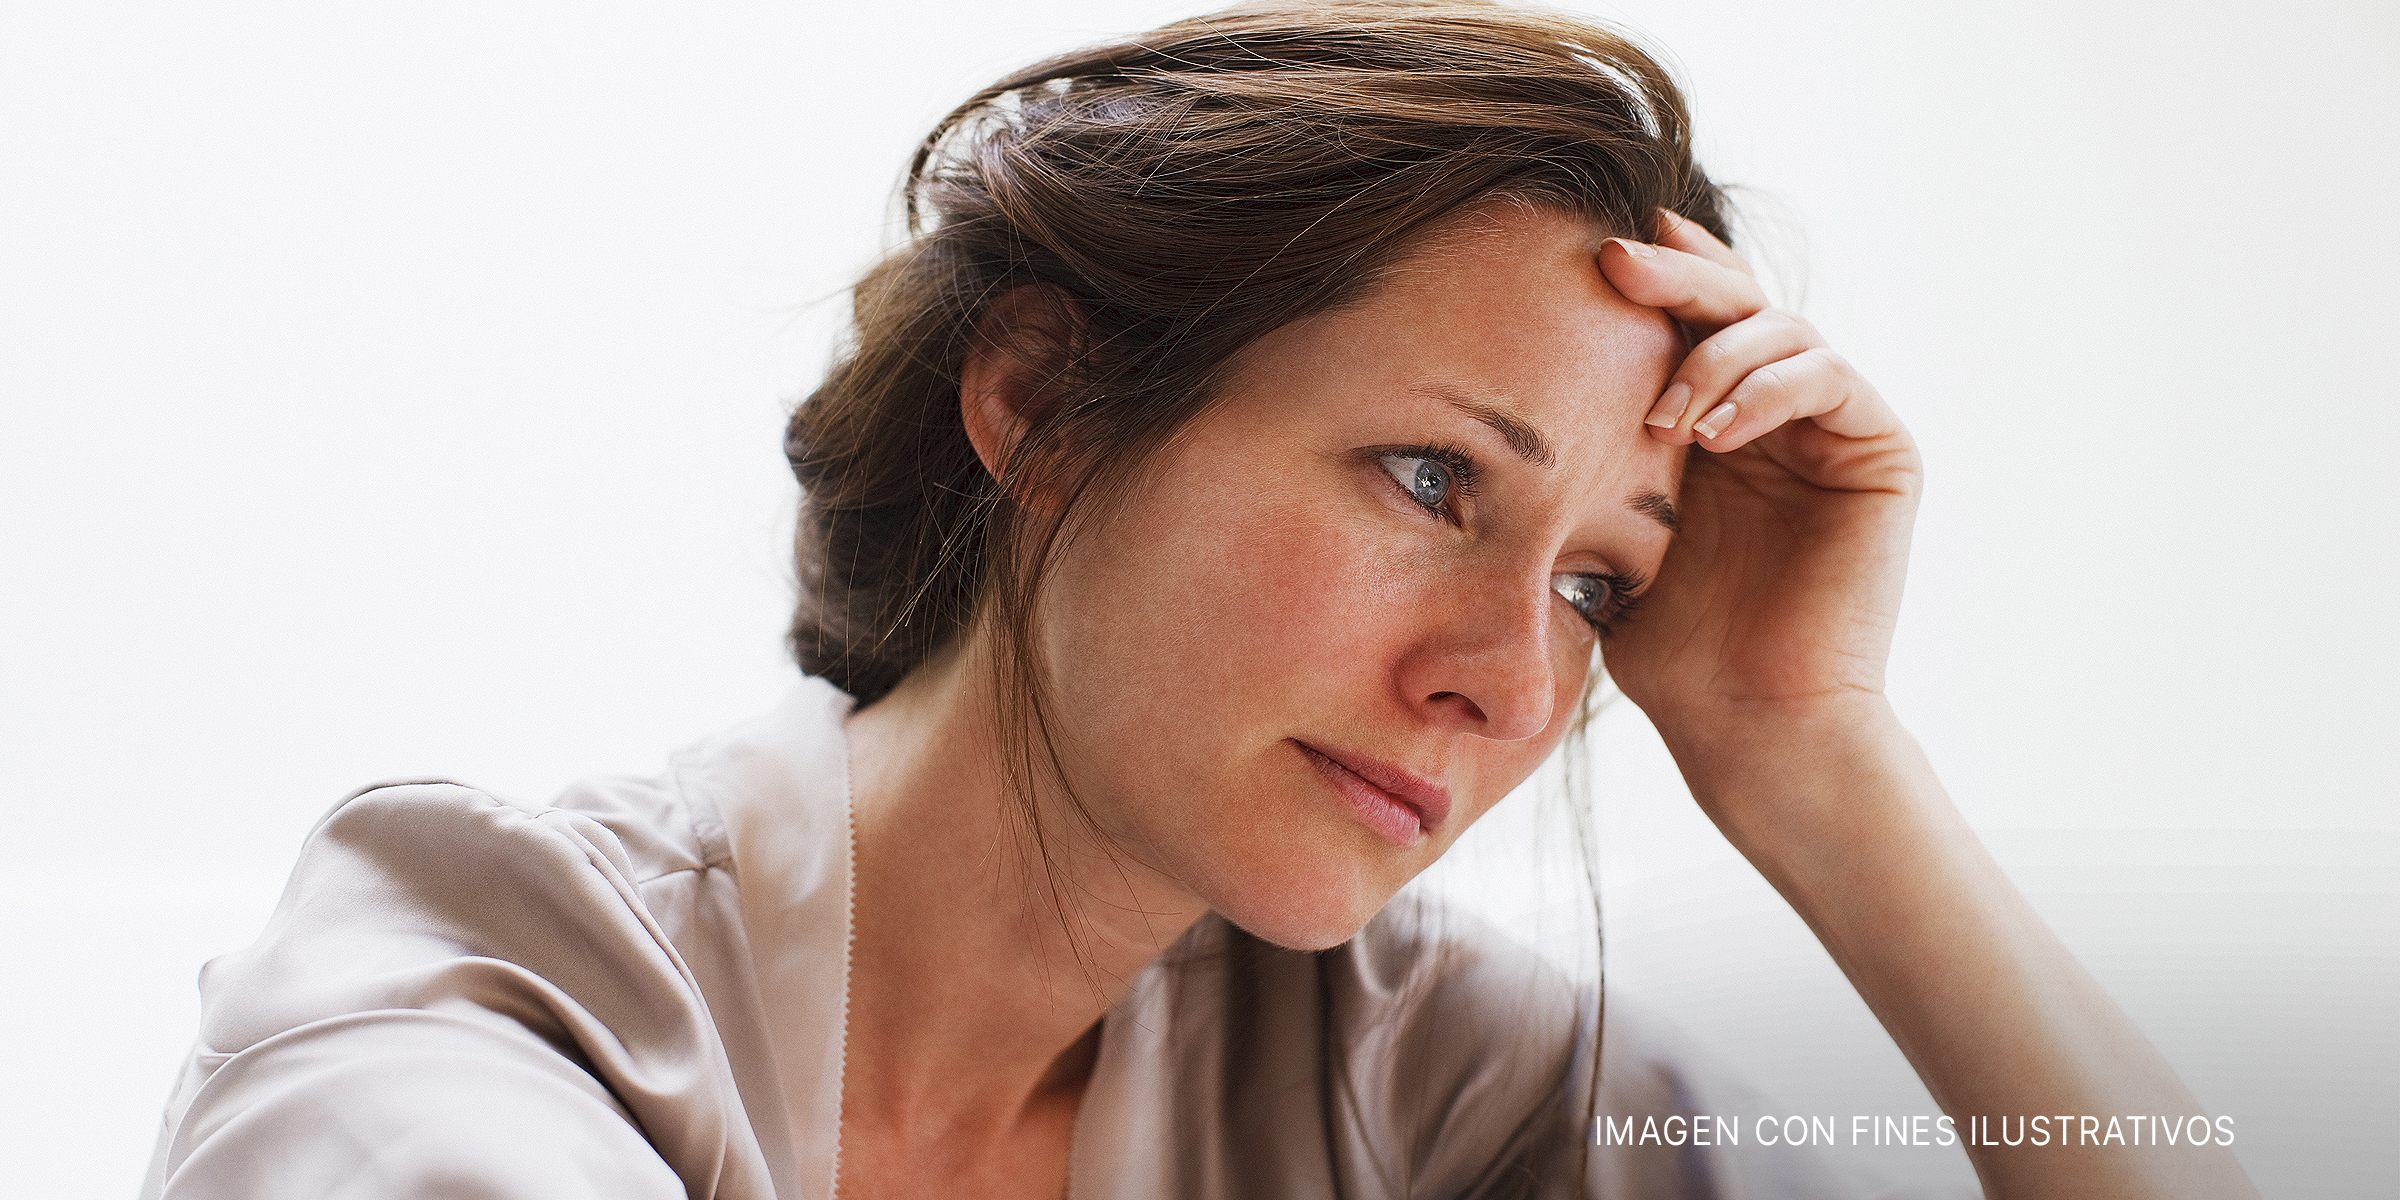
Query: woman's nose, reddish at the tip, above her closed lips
[[1489, 666]]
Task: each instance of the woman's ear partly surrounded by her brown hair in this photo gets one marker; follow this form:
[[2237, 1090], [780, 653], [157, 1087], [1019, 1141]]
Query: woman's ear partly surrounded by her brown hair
[[1014, 371]]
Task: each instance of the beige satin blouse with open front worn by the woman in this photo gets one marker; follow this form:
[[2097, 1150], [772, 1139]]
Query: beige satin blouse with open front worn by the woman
[[640, 992]]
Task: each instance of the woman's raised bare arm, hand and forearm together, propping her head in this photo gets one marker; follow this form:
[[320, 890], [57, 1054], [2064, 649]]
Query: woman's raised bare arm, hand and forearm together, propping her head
[[1760, 659]]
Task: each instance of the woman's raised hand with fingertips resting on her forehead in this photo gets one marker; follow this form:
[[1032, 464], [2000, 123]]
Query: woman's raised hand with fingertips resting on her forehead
[[1780, 592]]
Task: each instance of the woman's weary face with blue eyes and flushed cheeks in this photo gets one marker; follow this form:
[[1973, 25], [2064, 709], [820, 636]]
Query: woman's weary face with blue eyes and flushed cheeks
[[1352, 606]]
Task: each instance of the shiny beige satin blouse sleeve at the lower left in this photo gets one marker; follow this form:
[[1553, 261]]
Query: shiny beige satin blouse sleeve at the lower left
[[457, 997]]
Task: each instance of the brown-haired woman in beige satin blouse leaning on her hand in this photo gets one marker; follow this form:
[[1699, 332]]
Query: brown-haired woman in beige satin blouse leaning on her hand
[[1220, 508]]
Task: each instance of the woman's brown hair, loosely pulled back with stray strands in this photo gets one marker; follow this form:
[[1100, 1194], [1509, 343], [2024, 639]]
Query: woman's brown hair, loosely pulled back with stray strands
[[1177, 196]]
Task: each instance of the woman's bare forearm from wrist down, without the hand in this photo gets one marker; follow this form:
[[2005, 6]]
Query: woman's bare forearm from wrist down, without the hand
[[1842, 812]]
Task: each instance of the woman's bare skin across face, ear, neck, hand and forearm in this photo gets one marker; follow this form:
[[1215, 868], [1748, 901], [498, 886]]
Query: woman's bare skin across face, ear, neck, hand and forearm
[[1271, 584]]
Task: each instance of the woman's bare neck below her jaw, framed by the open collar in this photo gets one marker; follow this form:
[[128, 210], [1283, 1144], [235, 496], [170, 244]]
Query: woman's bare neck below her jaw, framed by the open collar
[[973, 1009]]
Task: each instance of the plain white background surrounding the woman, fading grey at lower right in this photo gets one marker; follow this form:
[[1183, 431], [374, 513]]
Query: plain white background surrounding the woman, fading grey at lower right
[[400, 388]]
